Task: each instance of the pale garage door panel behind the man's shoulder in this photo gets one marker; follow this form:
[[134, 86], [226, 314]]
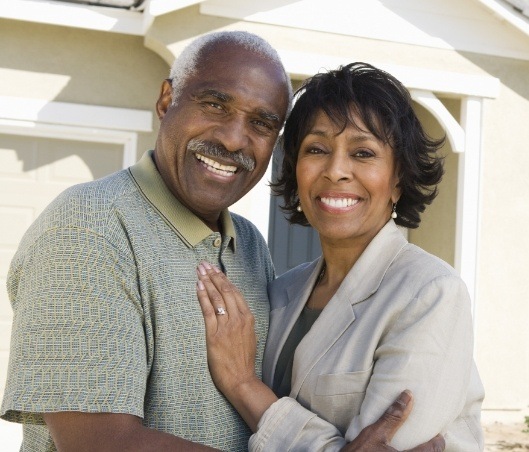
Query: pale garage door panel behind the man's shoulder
[[33, 171]]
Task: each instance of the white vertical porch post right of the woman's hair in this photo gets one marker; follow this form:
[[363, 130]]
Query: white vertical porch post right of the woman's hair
[[468, 191]]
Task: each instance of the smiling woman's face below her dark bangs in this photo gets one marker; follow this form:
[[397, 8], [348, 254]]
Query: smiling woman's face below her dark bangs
[[347, 181]]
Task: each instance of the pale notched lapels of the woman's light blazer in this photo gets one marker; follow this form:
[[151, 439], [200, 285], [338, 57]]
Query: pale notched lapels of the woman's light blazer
[[361, 282]]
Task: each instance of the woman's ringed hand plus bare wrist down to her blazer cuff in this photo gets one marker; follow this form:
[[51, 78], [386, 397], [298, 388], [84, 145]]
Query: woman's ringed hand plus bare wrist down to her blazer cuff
[[231, 344]]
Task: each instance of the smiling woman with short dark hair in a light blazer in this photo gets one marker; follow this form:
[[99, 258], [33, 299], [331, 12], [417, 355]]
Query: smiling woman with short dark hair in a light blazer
[[374, 314]]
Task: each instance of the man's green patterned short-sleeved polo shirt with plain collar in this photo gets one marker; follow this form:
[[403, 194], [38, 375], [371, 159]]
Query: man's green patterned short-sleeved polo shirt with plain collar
[[106, 317]]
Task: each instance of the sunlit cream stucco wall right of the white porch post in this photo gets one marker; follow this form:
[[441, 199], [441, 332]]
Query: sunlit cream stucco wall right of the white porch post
[[503, 275]]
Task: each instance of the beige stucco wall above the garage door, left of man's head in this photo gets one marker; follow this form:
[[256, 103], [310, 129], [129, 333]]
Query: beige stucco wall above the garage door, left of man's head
[[80, 66]]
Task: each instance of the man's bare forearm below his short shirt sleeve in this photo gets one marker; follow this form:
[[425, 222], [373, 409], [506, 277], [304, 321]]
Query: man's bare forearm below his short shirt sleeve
[[105, 432]]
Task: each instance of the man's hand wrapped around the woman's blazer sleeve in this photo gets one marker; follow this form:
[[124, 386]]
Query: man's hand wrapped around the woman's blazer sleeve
[[377, 436]]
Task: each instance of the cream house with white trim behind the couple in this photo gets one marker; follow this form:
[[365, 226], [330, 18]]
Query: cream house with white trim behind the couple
[[79, 80]]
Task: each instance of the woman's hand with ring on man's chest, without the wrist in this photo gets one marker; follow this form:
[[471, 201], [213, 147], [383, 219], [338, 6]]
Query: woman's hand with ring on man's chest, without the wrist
[[230, 334]]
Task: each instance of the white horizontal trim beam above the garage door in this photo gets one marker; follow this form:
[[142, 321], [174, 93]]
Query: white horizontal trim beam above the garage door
[[45, 111]]
